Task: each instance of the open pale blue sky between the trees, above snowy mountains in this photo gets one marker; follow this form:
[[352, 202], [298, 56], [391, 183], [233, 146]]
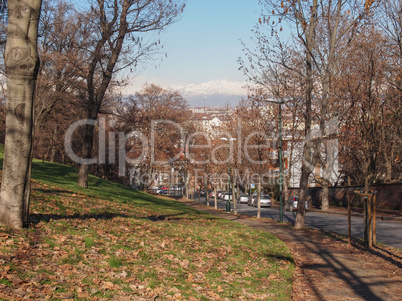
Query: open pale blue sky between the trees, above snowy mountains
[[204, 44]]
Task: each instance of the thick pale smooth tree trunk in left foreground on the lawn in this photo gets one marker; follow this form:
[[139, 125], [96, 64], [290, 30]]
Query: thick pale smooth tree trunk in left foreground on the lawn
[[22, 63]]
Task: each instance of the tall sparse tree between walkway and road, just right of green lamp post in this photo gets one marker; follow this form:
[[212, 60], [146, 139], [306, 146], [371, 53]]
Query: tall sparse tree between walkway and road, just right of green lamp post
[[318, 54]]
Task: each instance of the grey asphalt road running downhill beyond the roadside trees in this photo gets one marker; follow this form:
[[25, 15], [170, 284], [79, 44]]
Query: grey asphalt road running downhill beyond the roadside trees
[[388, 232]]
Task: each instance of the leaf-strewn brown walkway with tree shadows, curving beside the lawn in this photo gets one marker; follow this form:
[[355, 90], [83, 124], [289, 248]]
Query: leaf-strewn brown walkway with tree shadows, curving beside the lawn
[[326, 268]]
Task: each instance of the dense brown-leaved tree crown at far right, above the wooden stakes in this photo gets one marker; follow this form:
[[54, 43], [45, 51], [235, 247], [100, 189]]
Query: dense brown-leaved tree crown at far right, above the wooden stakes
[[371, 128]]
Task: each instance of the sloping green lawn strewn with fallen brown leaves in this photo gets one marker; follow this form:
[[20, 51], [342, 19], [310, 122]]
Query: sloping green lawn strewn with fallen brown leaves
[[110, 241]]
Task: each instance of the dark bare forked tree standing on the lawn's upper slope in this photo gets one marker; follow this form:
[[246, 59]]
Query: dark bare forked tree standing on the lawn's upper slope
[[118, 42]]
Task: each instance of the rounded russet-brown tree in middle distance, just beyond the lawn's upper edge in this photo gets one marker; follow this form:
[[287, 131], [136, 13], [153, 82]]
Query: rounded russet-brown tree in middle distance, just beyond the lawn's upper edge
[[156, 113]]
